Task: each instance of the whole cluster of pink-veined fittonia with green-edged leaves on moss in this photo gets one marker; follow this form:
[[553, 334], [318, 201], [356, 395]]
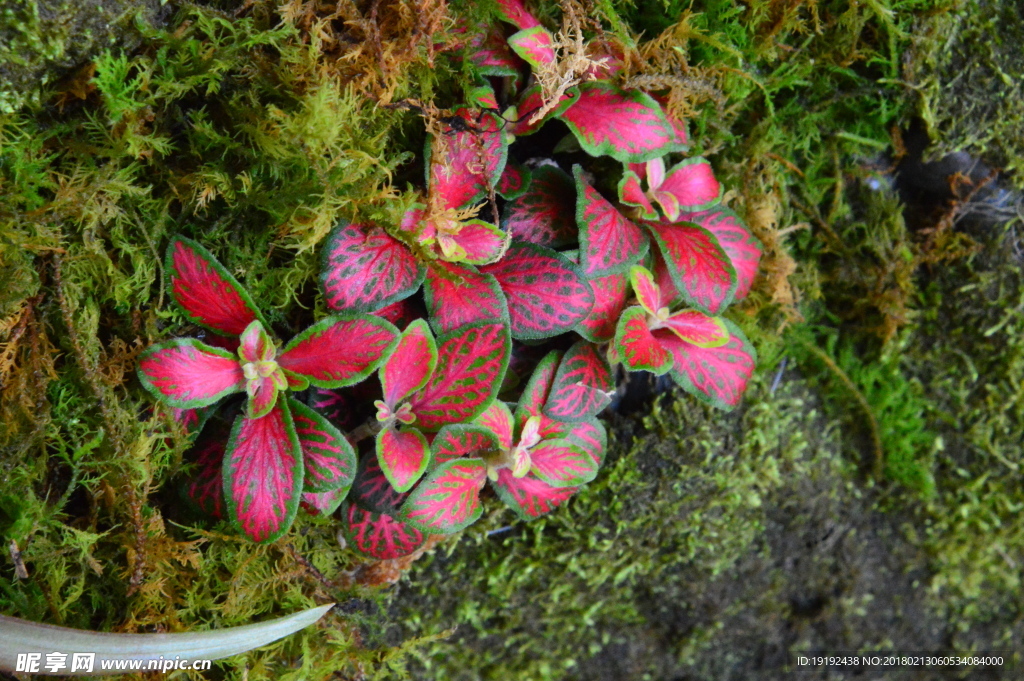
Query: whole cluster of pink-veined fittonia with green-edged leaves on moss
[[610, 243]]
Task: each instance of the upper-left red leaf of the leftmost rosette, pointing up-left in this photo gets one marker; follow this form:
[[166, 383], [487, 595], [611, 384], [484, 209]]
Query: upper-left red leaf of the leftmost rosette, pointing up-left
[[206, 291]]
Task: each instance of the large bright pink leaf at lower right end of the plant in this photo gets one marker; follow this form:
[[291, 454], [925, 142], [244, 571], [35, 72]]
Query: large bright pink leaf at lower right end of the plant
[[718, 375]]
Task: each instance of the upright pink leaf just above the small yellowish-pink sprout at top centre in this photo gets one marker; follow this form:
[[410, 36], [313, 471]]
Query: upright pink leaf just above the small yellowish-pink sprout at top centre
[[466, 161]]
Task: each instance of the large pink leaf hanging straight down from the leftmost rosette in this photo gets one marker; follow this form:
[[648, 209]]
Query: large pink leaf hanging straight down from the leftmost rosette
[[264, 475]]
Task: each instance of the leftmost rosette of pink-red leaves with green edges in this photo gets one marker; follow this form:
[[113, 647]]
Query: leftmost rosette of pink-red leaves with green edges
[[278, 449]]
